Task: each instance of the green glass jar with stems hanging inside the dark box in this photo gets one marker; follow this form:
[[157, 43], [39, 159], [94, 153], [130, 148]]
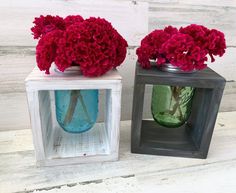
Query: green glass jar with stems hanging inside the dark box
[[171, 105]]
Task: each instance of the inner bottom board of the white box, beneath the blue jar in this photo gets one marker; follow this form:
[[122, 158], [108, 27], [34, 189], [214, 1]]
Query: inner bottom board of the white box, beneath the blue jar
[[64, 145]]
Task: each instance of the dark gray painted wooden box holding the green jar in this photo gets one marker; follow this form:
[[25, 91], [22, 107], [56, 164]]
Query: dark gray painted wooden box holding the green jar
[[193, 138]]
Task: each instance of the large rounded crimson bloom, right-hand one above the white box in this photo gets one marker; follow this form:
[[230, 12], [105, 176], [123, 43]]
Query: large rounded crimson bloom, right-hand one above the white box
[[103, 47]]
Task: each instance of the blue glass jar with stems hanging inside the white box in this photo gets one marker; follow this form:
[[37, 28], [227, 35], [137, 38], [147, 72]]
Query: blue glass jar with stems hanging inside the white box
[[76, 110]]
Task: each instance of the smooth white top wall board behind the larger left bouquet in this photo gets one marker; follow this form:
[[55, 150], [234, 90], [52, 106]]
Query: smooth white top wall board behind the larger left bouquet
[[131, 20]]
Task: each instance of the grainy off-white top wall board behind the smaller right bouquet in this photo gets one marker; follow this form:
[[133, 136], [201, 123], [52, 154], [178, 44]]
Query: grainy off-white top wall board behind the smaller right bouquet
[[182, 14]]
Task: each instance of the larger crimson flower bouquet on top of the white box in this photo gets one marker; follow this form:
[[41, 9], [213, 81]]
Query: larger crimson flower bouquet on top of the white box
[[93, 44]]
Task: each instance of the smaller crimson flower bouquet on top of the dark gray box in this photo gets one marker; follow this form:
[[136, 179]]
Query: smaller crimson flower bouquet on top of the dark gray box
[[187, 48]]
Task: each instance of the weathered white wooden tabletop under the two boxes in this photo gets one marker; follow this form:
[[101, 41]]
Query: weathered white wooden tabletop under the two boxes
[[132, 173]]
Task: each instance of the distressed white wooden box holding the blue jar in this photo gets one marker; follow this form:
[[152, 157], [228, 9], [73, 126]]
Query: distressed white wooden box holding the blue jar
[[54, 146]]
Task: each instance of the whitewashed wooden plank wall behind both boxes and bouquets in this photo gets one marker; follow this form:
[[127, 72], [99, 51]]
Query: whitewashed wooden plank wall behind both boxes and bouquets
[[133, 19]]
